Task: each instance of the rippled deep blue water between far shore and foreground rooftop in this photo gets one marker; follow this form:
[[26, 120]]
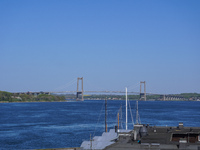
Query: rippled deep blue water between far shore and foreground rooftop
[[67, 124]]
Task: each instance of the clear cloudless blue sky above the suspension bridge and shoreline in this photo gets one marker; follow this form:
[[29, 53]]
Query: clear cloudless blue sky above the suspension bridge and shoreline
[[44, 44]]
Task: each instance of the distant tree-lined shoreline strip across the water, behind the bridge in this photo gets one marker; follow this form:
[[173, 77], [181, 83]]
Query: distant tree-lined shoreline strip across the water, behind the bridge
[[6, 97]]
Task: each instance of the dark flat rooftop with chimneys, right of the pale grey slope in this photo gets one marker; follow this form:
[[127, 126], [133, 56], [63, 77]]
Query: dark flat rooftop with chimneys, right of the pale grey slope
[[145, 137]]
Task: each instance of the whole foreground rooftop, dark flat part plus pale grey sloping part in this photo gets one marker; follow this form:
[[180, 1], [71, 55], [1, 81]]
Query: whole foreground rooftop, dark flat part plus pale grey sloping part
[[145, 137]]
